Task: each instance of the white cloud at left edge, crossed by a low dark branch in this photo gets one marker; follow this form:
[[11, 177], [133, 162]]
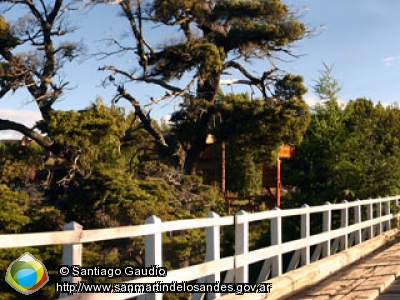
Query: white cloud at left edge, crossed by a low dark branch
[[26, 117]]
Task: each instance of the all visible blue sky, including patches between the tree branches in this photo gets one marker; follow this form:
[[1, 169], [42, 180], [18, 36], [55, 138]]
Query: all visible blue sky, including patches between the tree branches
[[359, 37]]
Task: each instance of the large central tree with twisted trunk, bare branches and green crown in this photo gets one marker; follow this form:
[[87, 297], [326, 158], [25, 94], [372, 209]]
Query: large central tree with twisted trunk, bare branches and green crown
[[211, 39]]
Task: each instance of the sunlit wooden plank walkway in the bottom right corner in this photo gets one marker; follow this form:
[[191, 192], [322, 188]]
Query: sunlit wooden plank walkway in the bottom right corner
[[374, 277]]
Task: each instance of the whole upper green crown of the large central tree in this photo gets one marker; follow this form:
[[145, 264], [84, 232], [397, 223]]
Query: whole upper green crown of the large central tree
[[251, 28]]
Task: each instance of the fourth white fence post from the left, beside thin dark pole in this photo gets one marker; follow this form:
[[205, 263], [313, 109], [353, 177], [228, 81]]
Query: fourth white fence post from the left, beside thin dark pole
[[241, 247]]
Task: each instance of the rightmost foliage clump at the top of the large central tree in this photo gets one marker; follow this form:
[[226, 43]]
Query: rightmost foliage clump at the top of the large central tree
[[259, 25]]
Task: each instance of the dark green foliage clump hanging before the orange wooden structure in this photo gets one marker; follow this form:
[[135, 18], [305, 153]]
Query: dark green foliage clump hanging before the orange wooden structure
[[253, 133]]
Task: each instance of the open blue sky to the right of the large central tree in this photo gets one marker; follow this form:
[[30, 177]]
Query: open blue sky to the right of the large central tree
[[361, 39]]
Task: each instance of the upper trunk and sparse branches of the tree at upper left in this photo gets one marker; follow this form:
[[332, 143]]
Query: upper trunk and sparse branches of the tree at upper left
[[45, 23]]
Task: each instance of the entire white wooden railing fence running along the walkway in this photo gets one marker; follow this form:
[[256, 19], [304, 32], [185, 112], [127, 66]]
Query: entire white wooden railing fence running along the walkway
[[359, 221]]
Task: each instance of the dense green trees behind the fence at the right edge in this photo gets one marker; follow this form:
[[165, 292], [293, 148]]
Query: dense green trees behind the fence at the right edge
[[350, 154]]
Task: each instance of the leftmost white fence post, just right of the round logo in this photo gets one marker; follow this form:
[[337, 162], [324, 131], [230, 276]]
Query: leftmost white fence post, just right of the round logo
[[72, 254]]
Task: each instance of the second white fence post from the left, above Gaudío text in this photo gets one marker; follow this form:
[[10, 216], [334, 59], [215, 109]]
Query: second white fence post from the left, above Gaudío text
[[153, 251]]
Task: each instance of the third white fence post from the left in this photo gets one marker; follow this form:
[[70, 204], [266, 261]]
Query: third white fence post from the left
[[213, 251]]
